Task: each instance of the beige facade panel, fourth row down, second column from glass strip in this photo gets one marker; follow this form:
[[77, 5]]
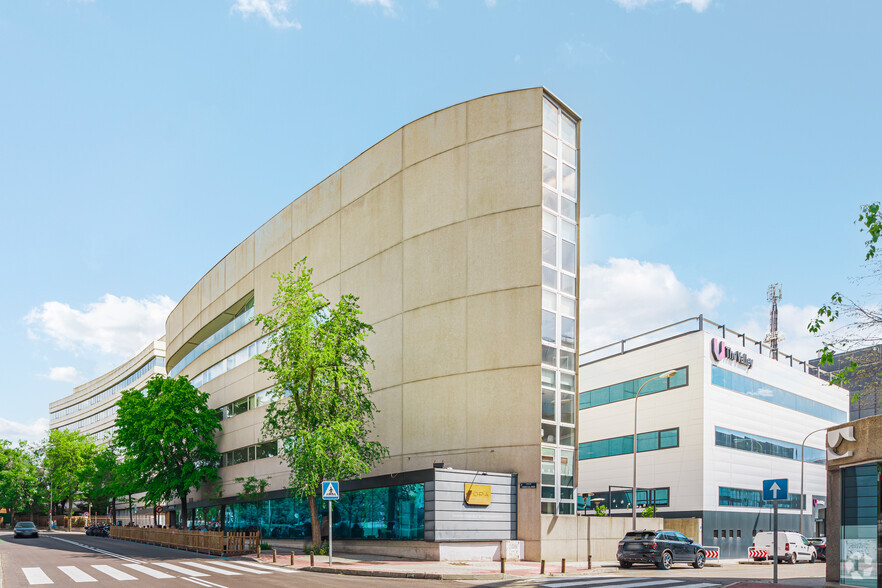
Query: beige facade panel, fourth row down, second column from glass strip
[[435, 341]]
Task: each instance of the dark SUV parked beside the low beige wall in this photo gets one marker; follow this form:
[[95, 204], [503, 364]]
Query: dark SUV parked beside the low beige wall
[[662, 548]]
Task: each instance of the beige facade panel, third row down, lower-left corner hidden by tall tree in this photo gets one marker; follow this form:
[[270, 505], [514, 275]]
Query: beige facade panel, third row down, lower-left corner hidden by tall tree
[[377, 283]]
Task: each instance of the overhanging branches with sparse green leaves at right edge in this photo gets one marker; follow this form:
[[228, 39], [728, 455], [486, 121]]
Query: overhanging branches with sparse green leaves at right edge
[[862, 321]]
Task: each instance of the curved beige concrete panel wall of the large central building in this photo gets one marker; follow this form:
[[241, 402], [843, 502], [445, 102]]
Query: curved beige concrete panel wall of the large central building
[[437, 228]]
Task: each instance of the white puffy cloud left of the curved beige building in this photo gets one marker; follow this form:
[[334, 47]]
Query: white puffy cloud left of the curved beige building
[[115, 325]]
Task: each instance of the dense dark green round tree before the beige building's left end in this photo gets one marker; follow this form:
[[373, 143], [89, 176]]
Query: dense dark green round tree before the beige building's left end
[[166, 436]]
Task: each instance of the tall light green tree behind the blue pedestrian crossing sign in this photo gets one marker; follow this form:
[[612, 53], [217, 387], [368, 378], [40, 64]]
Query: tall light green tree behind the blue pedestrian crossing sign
[[321, 407]]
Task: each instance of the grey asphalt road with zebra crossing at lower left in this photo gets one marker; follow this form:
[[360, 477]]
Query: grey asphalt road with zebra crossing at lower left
[[61, 559]]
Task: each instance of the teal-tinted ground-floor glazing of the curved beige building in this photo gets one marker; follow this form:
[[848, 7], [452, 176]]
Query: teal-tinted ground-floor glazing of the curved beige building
[[395, 512]]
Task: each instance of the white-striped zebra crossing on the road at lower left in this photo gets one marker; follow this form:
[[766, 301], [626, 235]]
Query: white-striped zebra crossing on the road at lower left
[[192, 571]]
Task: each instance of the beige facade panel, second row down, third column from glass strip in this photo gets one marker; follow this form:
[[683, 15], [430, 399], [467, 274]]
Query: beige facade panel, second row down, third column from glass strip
[[372, 223]]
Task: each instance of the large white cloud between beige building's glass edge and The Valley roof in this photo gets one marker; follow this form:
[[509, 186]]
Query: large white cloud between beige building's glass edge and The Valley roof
[[627, 297]]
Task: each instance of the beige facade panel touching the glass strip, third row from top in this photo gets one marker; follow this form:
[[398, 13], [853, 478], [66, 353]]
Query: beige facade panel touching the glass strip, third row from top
[[505, 250]]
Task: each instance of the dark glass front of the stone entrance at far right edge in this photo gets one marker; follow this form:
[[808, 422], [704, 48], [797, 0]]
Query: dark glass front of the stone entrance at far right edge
[[860, 529]]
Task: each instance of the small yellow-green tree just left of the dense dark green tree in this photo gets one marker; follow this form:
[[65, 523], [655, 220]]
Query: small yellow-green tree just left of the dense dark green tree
[[67, 457]]
